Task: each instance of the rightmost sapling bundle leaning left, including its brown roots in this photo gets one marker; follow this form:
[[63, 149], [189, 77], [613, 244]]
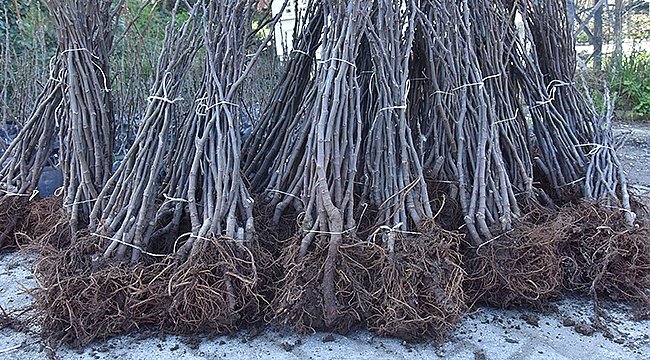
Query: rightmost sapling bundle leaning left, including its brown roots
[[607, 255]]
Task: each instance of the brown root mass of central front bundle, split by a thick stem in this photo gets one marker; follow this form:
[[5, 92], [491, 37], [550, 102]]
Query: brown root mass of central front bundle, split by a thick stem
[[299, 300]]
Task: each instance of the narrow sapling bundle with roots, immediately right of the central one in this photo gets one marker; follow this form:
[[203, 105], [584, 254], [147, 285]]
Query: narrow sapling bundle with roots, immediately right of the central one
[[420, 287]]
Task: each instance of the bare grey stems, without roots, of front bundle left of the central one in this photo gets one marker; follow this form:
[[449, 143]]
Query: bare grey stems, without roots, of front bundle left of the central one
[[205, 170]]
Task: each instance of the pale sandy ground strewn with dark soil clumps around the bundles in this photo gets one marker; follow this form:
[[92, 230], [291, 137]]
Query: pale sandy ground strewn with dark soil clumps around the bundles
[[564, 331]]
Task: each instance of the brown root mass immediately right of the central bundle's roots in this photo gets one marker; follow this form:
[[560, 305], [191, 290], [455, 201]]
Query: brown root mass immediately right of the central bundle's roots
[[420, 292]]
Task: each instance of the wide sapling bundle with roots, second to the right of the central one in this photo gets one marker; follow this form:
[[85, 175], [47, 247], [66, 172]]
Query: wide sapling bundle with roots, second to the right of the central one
[[475, 141]]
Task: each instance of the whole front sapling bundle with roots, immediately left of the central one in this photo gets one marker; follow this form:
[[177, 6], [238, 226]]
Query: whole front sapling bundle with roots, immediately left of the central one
[[215, 282]]
